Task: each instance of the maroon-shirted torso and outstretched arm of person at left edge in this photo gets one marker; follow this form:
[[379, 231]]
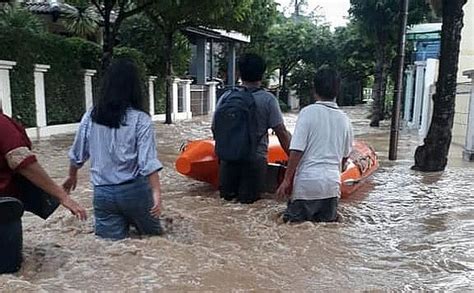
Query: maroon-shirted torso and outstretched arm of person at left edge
[[16, 157]]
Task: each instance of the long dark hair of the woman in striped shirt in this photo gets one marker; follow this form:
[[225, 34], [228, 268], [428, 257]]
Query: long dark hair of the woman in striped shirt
[[121, 89]]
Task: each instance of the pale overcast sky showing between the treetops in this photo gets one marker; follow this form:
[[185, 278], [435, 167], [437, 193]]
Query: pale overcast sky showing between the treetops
[[334, 11]]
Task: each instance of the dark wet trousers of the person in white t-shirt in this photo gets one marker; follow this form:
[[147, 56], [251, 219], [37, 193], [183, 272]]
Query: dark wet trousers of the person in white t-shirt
[[319, 210]]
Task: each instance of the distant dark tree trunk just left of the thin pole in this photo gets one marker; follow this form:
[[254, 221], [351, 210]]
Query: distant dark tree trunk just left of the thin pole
[[378, 88]]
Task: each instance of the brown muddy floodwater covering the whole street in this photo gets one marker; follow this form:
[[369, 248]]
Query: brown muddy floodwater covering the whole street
[[404, 230]]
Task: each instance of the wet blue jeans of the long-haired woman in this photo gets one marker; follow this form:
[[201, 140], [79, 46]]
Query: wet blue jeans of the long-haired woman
[[116, 207]]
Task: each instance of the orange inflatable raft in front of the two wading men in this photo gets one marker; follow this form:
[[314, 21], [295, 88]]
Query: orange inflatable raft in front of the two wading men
[[198, 161]]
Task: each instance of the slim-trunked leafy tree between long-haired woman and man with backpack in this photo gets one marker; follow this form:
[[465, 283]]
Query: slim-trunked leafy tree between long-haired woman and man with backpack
[[171, 16]]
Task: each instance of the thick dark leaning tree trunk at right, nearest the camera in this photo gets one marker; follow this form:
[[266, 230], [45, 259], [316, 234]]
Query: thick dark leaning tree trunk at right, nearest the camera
[[433, 155]]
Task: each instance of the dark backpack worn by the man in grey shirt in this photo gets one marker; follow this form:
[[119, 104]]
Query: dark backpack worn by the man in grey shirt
[[235, 126]]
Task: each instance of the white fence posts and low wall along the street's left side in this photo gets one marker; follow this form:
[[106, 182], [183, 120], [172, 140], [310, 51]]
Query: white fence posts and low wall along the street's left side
[[181, 87]]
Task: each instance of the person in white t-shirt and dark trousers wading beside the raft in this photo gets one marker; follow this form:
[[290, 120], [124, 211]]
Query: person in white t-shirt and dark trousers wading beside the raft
[[319, 148]]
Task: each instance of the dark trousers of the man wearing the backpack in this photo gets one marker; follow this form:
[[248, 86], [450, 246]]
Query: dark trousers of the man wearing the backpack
[[242, 180]]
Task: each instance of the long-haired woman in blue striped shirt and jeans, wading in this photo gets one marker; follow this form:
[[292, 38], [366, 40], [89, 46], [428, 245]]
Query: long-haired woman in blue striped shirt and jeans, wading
[[117, 137]]
